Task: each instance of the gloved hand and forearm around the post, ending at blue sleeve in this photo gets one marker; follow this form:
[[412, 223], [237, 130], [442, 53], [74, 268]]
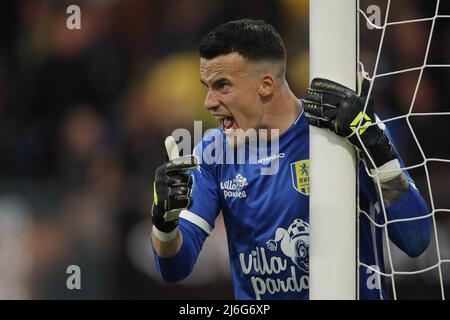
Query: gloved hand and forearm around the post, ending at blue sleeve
[[333, 106]]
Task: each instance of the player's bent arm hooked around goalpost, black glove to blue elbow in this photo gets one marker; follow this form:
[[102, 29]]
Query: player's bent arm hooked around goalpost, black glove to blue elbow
[[340, 109]]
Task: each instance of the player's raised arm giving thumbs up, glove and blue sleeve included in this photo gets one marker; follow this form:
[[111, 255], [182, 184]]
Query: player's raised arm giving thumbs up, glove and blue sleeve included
[[177, 240]]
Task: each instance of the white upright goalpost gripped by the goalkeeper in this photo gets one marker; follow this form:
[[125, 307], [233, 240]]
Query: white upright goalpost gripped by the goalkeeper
[[333, 55]]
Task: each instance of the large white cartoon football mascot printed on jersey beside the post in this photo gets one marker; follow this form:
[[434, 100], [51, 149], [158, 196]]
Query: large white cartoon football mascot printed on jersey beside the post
[[294, 243]]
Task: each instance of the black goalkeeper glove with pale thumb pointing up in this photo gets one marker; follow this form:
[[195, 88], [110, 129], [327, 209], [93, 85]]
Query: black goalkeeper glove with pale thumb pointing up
[[172, 188]]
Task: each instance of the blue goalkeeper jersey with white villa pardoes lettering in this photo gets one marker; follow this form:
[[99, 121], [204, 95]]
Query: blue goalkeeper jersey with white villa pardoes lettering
[[267, 221]]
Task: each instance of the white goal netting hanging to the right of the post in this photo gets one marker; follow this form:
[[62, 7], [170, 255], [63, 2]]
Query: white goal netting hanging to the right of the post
[[420, 125]]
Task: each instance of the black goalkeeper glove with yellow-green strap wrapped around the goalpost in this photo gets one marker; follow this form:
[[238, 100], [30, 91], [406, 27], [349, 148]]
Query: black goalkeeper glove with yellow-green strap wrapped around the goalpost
[[331, 105]]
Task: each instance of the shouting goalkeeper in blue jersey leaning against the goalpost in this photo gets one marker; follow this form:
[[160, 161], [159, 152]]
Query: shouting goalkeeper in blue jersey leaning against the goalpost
[[243, 65]]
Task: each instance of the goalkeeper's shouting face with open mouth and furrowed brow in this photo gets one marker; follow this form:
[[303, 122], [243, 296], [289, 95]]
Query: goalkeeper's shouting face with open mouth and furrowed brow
[[233, 91]]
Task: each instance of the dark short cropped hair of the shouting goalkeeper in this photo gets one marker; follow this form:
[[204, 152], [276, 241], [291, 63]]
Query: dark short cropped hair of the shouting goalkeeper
[[253, 39]]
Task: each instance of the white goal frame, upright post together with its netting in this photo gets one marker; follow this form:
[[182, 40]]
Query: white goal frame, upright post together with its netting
[[404, 47]]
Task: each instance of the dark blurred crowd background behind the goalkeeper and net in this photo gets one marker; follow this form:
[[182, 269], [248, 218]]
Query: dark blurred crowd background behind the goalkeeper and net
[[84, 113]]
